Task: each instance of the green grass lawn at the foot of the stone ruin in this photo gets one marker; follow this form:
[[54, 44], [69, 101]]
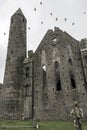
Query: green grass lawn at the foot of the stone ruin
[[44, 125]]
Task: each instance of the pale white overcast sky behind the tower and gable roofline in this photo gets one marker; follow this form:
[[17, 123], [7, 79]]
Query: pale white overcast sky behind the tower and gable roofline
[[74, 10]]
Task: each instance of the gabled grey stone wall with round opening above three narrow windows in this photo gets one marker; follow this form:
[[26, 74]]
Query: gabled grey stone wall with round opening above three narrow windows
[[50, 101]]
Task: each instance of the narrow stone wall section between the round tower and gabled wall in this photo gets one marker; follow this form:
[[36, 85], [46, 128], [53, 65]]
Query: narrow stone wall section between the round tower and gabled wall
[[28, 86]]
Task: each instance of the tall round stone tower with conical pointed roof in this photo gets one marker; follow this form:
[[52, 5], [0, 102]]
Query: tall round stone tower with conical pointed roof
[[13, 78]]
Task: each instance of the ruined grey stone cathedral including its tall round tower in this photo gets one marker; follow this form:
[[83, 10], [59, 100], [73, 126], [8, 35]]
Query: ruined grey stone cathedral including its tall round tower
[[44, 84]]
